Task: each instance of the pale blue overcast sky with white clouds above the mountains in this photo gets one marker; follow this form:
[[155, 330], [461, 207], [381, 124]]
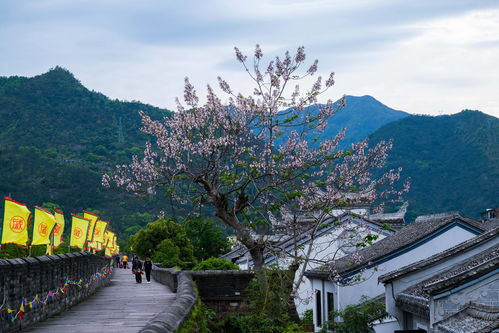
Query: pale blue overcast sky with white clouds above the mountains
[[422, 56]]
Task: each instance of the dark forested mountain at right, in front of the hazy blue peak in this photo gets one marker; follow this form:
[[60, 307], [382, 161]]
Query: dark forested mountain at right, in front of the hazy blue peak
[[453, 161]]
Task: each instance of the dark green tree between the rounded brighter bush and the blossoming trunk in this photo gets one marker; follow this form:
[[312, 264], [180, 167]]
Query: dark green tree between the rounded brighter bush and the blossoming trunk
[[207, 239]]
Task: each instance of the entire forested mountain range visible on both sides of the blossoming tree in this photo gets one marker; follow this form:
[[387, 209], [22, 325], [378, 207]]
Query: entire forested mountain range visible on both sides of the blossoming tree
[[57, 138]]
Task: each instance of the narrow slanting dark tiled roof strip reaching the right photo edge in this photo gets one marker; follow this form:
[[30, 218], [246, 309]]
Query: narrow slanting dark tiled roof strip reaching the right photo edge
[[469, 244]]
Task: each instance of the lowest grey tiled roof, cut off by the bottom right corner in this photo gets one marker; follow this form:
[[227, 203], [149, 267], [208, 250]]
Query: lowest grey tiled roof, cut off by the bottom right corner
[[473, 318]]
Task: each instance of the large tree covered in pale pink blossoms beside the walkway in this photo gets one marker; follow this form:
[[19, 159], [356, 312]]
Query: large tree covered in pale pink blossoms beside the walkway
[[259, 159]]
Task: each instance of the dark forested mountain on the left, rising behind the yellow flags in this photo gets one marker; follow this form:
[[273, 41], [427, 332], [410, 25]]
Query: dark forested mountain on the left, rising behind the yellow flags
[[56, 140]]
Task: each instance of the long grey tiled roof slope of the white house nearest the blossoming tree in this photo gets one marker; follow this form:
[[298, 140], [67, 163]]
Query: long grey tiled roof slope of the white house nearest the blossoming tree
[[423, 227]]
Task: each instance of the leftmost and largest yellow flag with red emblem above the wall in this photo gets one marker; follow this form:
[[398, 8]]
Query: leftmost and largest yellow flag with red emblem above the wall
[[15, 223]]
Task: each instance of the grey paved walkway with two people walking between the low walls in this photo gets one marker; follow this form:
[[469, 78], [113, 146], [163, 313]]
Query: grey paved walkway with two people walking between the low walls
[[124, 306]]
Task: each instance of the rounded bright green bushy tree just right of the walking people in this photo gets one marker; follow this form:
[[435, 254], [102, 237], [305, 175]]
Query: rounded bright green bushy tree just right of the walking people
[[165, 241]]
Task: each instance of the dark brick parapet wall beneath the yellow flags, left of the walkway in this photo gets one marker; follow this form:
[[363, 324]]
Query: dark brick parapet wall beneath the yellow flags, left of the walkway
[[28, 277]]
